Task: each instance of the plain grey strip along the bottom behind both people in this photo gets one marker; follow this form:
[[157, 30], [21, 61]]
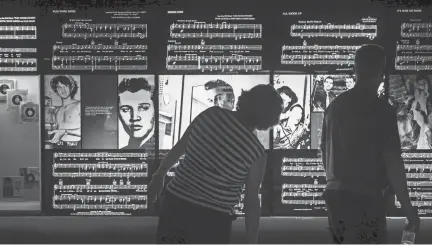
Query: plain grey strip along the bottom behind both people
[[89, 230]]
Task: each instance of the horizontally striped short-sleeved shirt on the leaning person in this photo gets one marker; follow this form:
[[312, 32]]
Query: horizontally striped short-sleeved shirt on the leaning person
[[219, 154]]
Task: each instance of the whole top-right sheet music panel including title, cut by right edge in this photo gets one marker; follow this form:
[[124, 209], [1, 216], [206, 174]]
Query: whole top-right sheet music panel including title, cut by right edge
[[411, 37]]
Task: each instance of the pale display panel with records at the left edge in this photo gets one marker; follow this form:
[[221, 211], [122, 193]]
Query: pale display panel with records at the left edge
[[20, 141]]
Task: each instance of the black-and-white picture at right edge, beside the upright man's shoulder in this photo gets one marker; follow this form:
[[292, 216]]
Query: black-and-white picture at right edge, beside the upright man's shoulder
[[411, 96]]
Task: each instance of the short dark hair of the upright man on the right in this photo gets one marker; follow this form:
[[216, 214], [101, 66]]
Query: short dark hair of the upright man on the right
[[370, 61]]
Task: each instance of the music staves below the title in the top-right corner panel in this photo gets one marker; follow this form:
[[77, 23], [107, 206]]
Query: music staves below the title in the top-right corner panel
[[413, 51]]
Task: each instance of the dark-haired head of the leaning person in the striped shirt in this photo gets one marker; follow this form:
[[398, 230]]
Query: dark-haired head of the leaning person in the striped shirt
[[260, 107]]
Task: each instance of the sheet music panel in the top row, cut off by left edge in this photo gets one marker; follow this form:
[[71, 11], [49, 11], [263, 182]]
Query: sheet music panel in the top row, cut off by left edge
[[18, 44]]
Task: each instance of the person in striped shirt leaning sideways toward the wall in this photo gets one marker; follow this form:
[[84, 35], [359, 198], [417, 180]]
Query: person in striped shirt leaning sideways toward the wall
[[221, 154]]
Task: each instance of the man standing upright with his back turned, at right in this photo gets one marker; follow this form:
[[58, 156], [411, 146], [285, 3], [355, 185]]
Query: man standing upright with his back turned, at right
[[361, 150]]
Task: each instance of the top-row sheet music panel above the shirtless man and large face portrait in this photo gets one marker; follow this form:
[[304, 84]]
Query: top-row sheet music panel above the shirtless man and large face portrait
[[99, 41]]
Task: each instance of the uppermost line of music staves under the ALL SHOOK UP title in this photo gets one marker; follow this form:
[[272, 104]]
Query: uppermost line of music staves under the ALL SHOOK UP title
[[334, 31]]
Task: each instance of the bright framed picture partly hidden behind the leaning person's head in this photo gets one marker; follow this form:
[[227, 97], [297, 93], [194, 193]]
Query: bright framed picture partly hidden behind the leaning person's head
[[203, 91]]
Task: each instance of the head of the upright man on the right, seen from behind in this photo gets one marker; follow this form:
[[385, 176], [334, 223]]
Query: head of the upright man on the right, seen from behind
[[369, 65]]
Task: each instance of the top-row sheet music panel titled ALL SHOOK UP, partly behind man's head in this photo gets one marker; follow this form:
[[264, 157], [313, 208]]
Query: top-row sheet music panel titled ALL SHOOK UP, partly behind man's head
[[315, 40]]
